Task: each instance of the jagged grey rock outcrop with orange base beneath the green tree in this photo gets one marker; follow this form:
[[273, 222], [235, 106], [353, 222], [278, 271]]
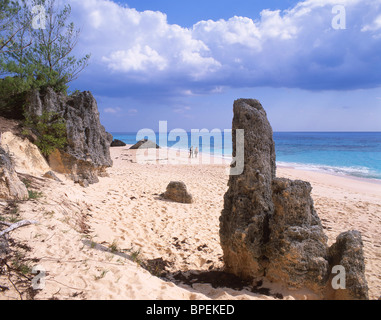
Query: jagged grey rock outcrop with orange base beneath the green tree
[[87, 154]]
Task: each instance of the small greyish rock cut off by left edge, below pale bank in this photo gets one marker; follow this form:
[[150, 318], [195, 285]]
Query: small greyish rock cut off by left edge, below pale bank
[[11, 188]]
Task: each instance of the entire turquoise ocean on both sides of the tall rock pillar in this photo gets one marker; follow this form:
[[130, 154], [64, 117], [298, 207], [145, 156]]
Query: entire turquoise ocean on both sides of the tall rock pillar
[[355, 154]]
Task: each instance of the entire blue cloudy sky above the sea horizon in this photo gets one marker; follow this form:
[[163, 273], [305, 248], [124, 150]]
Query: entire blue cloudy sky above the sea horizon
[[314, 65]]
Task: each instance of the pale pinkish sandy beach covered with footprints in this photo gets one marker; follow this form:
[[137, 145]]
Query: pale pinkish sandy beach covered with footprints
[[112, 239]]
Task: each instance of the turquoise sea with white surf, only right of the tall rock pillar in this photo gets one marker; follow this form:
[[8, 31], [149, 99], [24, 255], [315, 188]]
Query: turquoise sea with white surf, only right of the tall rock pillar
[[349, 153]]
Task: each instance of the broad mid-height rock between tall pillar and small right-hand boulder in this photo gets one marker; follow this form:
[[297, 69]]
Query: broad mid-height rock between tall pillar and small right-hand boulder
[[297, 248]]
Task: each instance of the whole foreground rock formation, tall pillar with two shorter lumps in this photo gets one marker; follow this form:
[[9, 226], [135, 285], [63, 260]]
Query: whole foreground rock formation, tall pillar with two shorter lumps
[[269, 227]]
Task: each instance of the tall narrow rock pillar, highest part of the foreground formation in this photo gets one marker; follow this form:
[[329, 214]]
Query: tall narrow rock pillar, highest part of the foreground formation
[[248, 202]]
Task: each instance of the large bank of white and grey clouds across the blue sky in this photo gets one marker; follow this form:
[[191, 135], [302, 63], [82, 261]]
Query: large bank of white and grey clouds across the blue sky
[[295, 48]]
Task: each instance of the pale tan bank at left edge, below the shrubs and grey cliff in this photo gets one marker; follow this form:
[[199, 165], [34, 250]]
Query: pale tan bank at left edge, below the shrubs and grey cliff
[[27, 157]]
